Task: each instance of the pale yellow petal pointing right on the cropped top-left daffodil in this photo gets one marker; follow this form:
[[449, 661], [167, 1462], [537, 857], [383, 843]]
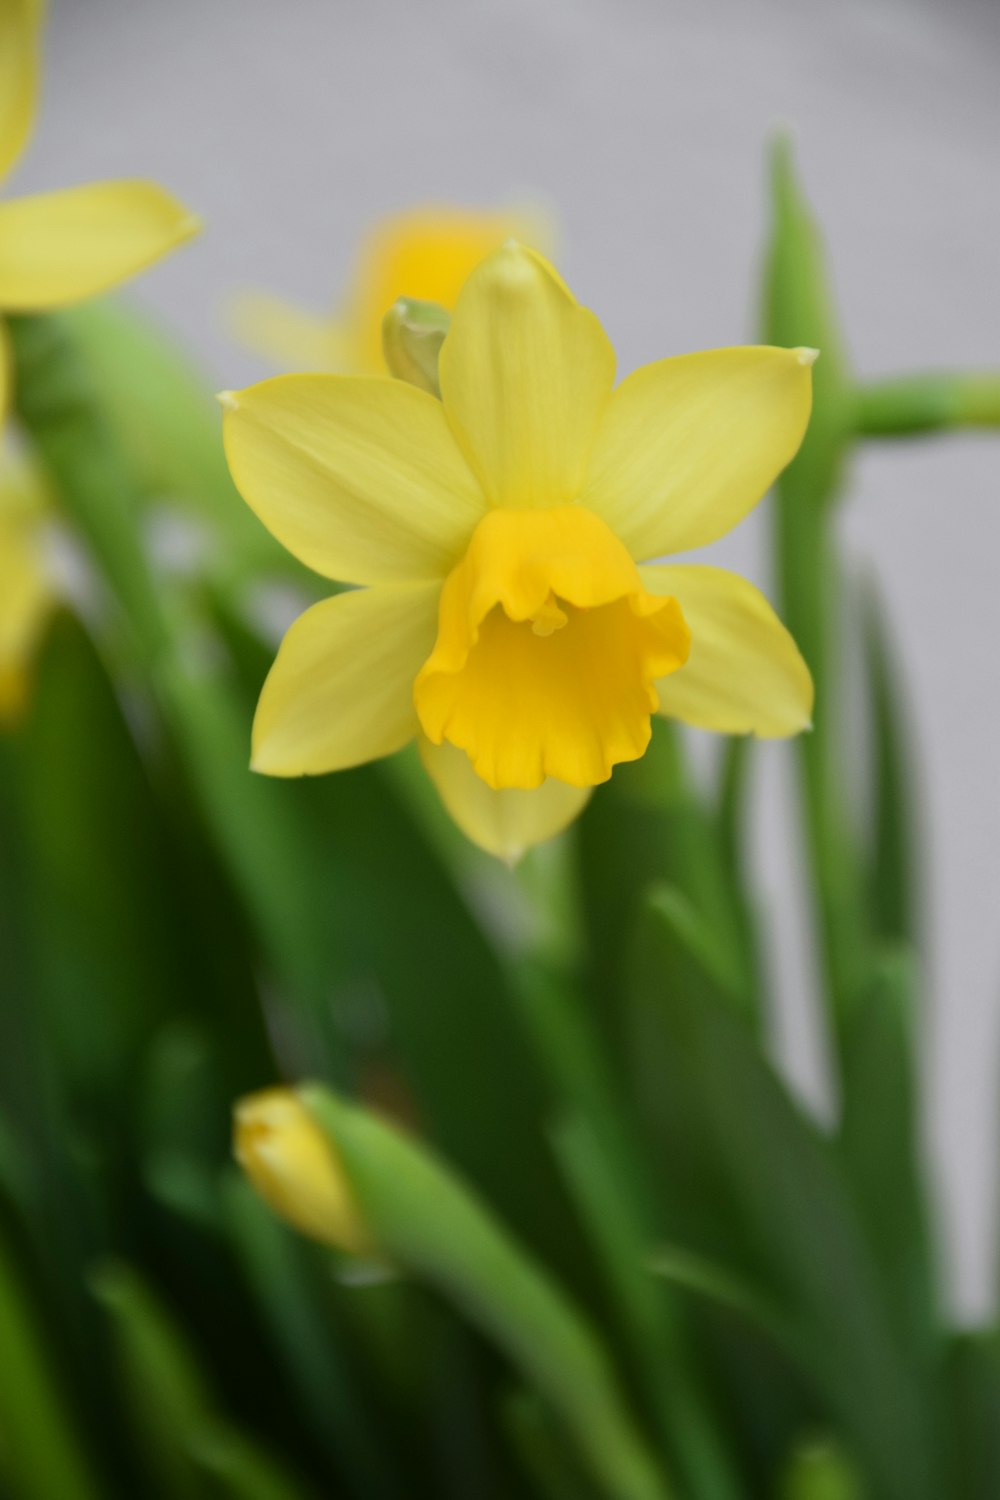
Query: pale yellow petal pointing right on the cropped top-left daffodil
[[59, 248]]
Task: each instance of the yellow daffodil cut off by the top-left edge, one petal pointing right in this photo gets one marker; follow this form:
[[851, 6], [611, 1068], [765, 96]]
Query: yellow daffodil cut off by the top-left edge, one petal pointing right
[[58, 248]]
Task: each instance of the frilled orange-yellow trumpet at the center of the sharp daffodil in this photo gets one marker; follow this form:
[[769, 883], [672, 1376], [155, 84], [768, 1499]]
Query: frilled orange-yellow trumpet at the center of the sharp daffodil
[[548, 652]]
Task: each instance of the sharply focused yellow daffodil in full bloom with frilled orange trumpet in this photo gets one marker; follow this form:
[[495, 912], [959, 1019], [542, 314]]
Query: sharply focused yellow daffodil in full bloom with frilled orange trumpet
[[509, 617]]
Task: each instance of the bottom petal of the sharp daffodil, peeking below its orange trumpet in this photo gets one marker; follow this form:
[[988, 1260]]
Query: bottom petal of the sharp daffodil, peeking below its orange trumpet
[[504, 823]]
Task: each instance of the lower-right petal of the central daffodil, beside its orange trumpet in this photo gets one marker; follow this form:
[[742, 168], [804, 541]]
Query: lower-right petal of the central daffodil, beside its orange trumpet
[[744, 674]]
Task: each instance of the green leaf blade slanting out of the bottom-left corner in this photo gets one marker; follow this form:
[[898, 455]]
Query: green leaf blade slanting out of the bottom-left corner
[[41, 1450]]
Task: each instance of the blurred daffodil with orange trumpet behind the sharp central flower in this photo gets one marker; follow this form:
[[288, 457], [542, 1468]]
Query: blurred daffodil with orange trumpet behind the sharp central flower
[[424, 253]]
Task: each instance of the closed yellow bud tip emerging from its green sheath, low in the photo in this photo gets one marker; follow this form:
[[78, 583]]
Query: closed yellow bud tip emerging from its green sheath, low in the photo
[[295, 1169]]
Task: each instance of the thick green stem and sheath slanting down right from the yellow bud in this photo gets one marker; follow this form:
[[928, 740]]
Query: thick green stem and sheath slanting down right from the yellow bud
[[434, 1228]]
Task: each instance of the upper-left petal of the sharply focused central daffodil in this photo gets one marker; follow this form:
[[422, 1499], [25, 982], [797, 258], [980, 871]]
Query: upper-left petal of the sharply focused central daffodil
[[358, 478]]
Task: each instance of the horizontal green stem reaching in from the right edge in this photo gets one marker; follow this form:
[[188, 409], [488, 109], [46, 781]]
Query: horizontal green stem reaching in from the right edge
[[911, 406]]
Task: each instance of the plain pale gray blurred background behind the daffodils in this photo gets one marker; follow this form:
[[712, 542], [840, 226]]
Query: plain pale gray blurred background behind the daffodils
[[292, 124]]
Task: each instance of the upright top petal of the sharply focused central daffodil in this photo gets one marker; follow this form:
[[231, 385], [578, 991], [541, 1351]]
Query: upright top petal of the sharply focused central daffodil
[[525, 376]]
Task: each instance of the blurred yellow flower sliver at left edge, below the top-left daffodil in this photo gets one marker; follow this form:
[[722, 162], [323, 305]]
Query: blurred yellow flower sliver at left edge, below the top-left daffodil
[[26, 598]]
